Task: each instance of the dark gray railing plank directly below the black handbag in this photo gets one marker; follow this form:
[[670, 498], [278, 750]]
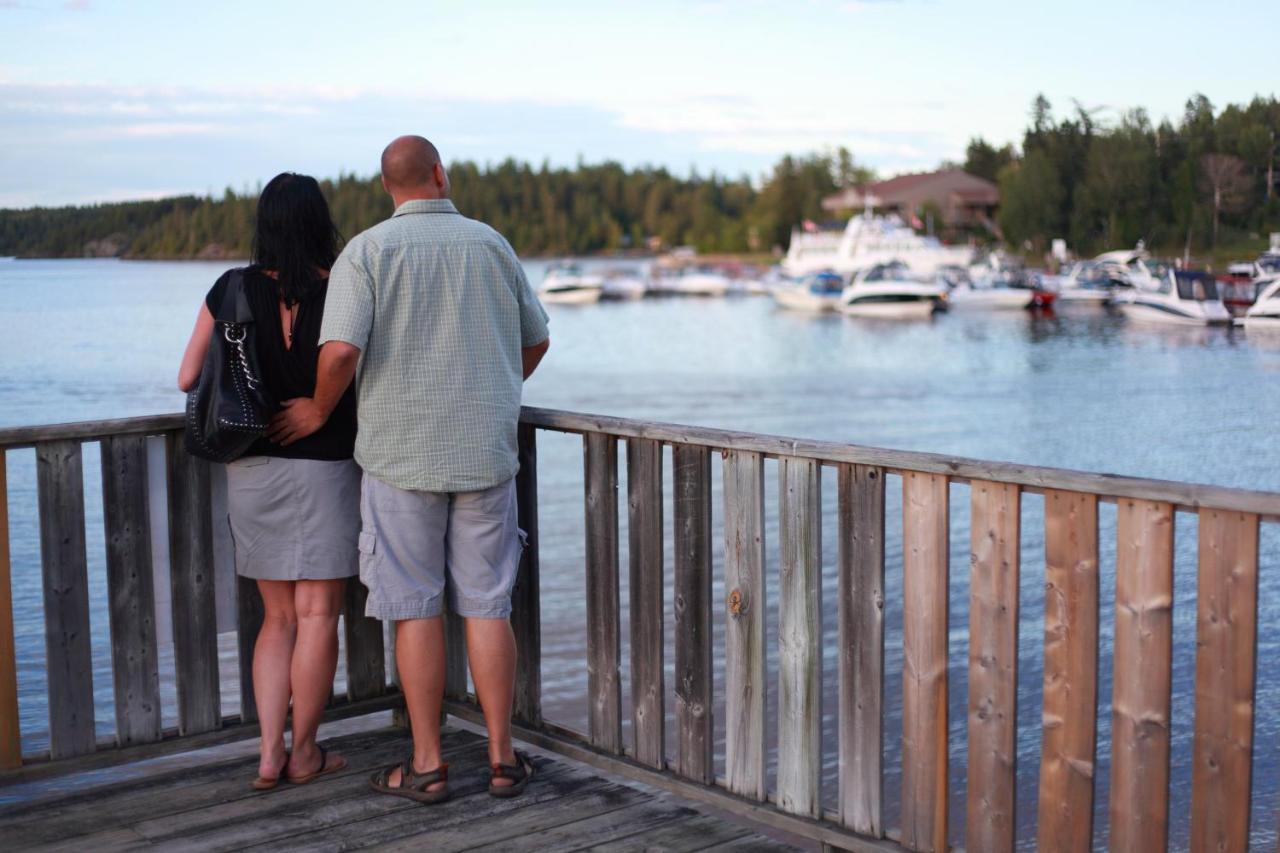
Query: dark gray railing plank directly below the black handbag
[[191, 571]]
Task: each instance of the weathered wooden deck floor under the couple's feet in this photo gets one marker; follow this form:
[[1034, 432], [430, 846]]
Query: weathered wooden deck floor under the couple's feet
[[212, 808]]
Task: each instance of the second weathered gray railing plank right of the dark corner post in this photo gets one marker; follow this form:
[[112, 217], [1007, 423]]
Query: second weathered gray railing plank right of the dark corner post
[[646, 548]]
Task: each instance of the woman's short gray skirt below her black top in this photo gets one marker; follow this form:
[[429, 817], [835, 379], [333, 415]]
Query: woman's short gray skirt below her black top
[[295, 519]]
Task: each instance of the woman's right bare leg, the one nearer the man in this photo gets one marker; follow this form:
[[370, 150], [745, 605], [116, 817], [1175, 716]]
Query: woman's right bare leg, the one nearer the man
[[316, 658]]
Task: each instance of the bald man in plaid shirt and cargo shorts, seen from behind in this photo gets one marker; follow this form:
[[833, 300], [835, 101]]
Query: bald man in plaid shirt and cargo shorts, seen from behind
[[436, 313]]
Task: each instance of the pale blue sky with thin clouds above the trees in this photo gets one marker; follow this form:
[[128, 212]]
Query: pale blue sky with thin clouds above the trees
[[107, 101]]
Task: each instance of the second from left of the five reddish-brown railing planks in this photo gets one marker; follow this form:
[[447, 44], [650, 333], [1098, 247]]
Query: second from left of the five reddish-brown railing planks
[[995, 533]]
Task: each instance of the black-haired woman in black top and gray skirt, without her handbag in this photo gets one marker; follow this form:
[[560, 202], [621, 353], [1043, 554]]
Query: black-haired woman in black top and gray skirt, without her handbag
[[295, 512]]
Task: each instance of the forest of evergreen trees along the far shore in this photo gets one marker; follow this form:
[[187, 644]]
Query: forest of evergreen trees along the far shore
[[1205, 181]]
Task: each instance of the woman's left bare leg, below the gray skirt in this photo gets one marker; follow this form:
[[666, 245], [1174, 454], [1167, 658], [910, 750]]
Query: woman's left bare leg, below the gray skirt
[[272, 658]]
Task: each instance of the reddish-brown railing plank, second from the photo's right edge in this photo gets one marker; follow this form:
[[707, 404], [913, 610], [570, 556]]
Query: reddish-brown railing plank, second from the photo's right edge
[[1144, 672]]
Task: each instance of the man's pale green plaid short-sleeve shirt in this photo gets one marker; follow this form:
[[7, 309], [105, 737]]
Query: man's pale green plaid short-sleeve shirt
[[441, 309]]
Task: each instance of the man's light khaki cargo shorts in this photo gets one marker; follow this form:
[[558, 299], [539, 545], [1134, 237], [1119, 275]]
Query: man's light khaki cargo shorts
[[418, 548]]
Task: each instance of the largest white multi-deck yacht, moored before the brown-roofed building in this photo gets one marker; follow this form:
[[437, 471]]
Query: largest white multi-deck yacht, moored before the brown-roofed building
[[866, 241]]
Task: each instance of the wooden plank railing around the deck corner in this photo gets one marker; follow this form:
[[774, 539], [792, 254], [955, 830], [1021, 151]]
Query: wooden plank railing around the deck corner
[[1144, 632]]
